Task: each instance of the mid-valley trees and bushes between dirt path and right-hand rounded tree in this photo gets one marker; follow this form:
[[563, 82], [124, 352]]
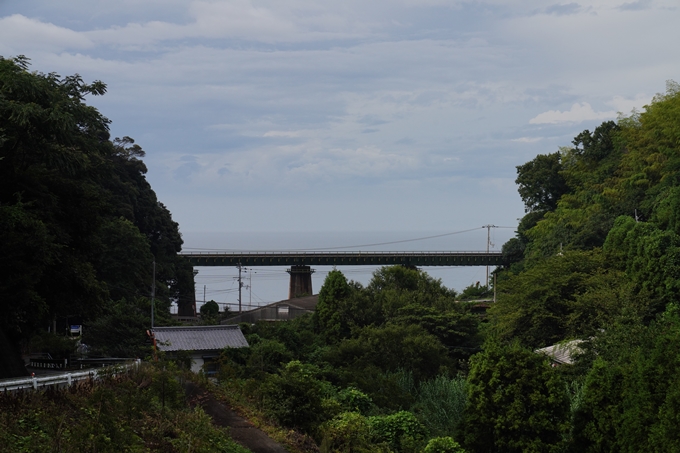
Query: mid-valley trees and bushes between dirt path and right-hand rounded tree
[[376, 368]]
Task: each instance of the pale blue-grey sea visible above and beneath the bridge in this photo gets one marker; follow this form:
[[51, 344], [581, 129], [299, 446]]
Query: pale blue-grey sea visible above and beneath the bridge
[[264, 285]]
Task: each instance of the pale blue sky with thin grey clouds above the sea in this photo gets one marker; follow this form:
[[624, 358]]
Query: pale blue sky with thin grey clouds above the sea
[[296, 116]]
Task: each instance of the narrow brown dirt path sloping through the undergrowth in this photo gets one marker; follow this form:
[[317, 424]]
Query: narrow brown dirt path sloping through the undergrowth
[[240, 429]]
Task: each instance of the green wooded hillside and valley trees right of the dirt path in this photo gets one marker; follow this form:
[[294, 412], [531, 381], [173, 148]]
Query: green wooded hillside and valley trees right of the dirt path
[[405, 365]]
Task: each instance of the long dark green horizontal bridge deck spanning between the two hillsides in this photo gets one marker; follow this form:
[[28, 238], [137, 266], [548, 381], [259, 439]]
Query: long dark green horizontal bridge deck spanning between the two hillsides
[[344, 258]]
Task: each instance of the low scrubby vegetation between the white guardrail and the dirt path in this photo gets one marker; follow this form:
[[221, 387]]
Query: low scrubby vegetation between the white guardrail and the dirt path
[[140, 411]]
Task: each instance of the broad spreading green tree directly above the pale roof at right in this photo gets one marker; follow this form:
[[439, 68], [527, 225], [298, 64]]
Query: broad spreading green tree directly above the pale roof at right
[[569, 295]]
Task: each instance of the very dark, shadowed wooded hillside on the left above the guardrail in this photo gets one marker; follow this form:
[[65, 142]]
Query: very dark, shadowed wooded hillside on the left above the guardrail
[[80, 226]]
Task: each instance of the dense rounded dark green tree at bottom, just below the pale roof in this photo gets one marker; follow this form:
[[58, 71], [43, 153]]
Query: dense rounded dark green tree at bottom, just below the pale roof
[[516, 402]]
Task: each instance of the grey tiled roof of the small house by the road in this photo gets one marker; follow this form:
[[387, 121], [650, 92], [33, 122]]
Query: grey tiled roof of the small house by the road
[[199, 338]]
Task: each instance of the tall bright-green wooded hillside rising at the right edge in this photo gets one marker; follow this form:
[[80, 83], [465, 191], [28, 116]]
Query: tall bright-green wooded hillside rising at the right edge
[[596, 258]]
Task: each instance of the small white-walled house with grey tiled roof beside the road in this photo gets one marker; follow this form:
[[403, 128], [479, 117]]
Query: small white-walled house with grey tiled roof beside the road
[[203, 343]]
